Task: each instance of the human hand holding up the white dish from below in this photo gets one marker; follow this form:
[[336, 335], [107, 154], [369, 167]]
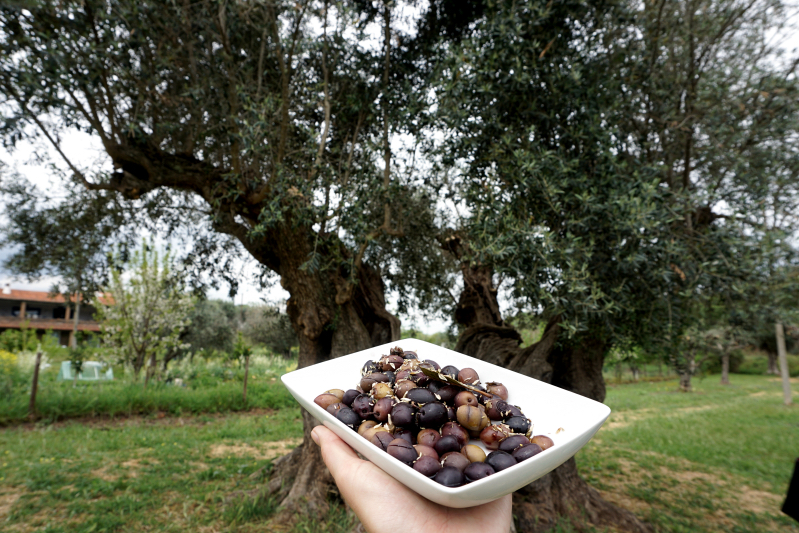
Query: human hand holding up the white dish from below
[[384, 504]]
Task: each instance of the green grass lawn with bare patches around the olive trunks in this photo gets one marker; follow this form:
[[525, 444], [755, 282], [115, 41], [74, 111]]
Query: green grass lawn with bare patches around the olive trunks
[[718, 459]]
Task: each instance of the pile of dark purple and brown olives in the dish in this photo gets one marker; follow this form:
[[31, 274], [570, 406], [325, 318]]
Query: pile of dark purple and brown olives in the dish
[[425, 415]]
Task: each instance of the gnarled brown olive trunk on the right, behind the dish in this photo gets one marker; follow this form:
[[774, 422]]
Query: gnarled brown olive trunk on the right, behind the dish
[[539, 507]]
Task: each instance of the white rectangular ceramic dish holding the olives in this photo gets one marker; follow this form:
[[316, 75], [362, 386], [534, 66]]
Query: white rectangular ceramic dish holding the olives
[[549, 408]]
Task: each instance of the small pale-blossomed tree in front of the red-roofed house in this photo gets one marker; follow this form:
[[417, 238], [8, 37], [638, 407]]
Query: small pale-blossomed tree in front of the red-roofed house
[[143, 312]]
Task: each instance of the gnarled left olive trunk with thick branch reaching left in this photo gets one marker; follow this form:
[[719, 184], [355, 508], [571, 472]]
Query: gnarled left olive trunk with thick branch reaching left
[[334, 311]]
